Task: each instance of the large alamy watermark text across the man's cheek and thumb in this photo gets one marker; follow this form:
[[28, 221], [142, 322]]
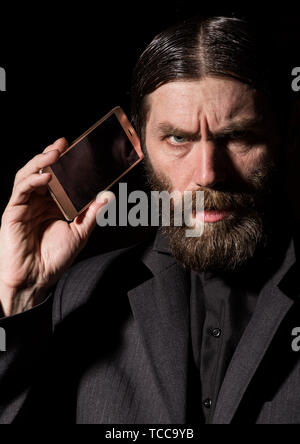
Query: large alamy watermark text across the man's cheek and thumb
[[154, 211]]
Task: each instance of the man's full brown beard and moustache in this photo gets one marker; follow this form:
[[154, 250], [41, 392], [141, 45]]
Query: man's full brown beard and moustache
[[230, 243]]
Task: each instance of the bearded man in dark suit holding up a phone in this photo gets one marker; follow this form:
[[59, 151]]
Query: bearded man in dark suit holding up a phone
[[175, 330]]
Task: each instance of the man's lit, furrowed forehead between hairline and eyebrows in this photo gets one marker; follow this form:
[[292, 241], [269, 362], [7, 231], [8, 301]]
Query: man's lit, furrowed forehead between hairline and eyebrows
[[183, 103]]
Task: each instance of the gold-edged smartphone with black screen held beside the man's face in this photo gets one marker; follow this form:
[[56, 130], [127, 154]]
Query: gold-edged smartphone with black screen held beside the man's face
[[94, 162]]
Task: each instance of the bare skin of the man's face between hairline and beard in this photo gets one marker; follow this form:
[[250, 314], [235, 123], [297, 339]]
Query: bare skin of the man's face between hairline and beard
[[205, 108]]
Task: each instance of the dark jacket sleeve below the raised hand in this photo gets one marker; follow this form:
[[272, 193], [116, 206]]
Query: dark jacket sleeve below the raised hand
[[25, 359]]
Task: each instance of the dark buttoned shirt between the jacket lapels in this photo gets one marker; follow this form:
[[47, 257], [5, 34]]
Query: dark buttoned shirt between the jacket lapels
[[219, 314]]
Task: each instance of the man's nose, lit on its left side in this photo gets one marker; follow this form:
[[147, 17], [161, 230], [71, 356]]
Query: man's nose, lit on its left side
[[209, 164]]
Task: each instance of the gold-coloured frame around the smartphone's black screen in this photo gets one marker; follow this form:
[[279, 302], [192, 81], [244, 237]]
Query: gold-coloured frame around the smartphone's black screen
[[56, 189]]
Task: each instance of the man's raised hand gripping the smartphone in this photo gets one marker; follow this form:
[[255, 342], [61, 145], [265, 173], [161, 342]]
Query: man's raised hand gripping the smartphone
[[36, 243]]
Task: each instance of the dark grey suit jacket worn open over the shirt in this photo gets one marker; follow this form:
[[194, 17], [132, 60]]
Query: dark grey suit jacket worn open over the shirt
[[110, 345]]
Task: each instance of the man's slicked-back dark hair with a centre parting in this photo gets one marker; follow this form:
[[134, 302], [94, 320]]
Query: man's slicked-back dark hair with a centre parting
[[219, 46]]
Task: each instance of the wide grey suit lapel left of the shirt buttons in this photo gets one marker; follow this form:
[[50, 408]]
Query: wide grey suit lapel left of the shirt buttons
[[160, 308]]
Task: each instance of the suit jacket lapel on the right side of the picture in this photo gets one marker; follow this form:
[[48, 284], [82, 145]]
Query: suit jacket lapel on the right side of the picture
[[272, 307]]
